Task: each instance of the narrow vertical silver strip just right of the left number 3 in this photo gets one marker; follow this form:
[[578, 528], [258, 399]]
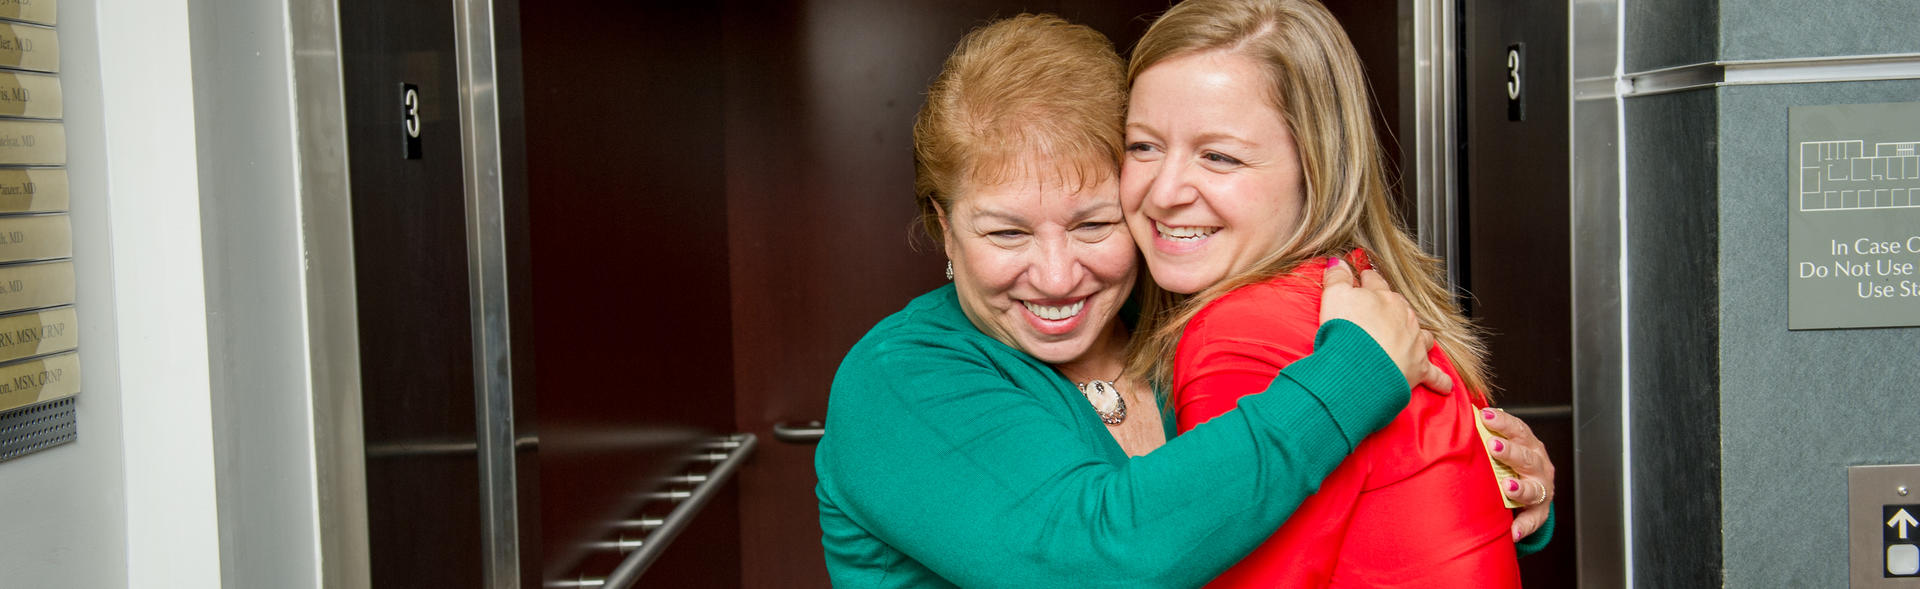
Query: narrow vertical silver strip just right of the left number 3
[[487, 270]]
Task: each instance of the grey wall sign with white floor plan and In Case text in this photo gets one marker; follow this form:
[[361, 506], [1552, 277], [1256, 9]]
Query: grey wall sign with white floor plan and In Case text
[[1854, 216]]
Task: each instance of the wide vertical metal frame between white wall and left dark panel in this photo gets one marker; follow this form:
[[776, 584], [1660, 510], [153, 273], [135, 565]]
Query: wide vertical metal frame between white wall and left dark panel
[[331, 304]]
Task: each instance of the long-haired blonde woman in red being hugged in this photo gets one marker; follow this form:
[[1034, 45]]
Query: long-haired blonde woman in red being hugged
[[1251, 168]]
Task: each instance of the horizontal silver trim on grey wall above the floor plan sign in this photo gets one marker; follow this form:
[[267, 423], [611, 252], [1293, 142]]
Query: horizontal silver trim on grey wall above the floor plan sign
[[1773, 72]]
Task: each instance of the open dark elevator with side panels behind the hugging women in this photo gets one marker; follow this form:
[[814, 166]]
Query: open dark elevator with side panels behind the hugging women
[[677, 187]]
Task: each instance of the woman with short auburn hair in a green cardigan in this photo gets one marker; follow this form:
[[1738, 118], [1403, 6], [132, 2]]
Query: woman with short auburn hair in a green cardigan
[[984, 438]]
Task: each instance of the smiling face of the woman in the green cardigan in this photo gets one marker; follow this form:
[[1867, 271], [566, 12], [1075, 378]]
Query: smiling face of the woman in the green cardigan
[[1040, 266]]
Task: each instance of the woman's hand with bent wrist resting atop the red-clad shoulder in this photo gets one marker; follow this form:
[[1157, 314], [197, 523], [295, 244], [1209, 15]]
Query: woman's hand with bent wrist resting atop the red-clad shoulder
[[1387, 318]]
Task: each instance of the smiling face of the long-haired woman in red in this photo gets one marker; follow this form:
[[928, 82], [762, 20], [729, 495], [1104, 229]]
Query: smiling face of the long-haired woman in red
[[1212, 179]]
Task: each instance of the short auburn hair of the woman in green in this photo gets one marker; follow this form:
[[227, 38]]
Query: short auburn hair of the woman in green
[[1032, 97]]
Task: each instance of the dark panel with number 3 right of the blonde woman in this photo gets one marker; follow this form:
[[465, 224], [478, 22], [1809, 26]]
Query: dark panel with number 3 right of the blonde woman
[[1514, 231]]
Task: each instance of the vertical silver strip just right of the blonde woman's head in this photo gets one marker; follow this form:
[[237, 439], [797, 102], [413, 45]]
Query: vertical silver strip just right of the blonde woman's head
[[1435, 130]]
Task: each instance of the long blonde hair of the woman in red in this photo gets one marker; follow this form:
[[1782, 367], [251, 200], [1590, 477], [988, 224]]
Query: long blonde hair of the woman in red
[[1322, 91]]
